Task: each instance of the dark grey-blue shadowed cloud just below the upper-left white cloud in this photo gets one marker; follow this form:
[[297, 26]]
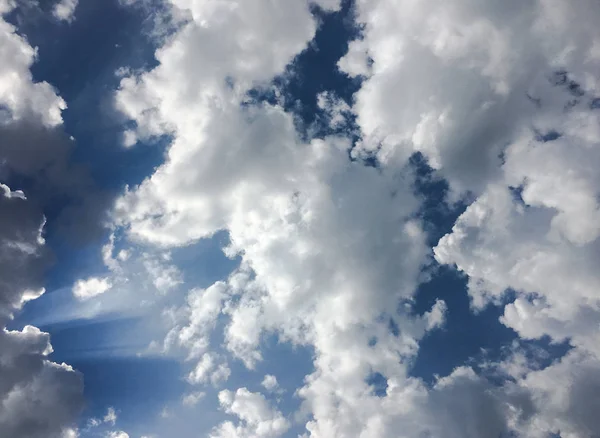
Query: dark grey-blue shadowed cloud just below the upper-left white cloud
[[40, 160]]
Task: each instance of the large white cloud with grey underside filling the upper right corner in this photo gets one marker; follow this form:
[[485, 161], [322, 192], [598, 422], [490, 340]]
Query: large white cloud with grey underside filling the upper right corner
[[451, 80]]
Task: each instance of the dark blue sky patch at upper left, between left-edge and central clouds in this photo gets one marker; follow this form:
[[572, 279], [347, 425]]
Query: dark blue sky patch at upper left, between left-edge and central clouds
[[80, 59]]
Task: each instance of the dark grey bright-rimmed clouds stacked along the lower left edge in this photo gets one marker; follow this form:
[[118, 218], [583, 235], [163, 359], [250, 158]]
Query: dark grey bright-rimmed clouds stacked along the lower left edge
[[39, 397]]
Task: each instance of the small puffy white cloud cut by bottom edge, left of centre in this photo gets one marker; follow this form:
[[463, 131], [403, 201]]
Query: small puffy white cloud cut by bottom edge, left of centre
[[257, 417]]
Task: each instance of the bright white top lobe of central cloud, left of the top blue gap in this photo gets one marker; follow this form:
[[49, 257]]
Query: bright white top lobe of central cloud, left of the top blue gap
[[259, 37]]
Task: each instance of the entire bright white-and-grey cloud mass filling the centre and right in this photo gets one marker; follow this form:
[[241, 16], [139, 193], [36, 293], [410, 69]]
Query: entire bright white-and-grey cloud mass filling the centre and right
[[499, 100]]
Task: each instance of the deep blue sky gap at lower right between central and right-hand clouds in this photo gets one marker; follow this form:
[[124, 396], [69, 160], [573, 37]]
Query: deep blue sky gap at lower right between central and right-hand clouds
[[468, 337]]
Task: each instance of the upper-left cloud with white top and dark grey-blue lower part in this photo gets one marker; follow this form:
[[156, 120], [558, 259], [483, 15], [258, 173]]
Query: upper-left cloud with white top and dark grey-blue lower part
[[35, 149]]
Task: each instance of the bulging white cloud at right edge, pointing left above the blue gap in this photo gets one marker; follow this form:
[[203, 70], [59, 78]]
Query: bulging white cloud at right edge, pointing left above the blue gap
[[535, 232]]
